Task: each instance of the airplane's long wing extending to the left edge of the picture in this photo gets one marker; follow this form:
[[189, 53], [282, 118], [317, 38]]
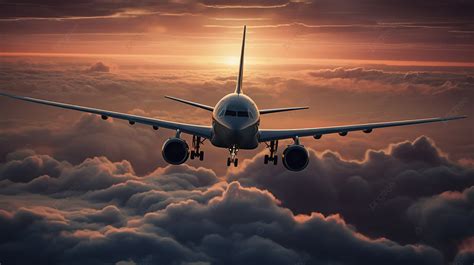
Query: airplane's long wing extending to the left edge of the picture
[[198, 130]]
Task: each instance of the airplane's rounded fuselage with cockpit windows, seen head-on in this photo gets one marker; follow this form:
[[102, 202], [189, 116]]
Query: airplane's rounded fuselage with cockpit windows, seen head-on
[[235, 122]]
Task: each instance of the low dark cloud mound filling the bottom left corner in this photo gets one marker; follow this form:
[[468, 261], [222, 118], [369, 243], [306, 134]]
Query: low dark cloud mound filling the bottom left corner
[[31, 229]]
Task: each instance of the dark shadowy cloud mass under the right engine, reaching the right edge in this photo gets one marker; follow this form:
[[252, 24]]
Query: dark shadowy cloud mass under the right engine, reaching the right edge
[[374, 194]]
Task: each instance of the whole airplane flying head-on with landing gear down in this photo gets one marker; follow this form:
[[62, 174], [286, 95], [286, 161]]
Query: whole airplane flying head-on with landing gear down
[[235, 126]]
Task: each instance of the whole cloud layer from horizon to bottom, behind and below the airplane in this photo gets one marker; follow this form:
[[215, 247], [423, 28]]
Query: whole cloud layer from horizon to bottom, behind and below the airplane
[[77, 189]]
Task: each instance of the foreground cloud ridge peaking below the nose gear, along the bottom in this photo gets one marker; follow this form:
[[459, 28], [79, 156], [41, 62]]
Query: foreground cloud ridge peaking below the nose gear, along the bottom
[[219, 231]]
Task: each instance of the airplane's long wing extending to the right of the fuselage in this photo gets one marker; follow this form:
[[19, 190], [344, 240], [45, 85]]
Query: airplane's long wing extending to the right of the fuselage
[[271, 134]]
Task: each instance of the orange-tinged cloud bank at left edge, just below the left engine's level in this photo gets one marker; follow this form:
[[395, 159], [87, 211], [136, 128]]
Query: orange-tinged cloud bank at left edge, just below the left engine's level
[[98, 178]]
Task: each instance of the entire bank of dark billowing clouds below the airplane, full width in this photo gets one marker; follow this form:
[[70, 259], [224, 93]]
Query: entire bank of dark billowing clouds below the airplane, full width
[[345, 212]]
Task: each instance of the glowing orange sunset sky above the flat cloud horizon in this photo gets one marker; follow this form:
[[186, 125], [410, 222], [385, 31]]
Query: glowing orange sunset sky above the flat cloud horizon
[[384, 30]]
